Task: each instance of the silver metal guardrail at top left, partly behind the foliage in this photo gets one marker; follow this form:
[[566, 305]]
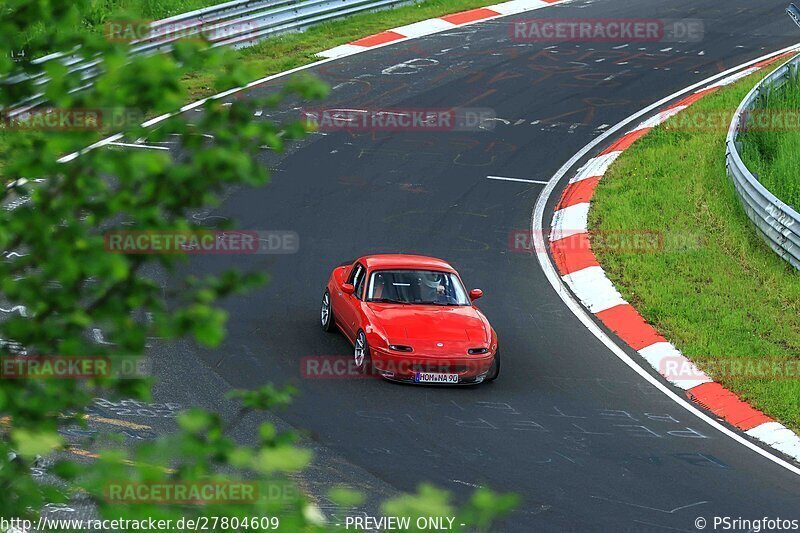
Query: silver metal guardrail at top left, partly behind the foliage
[[239, 23]]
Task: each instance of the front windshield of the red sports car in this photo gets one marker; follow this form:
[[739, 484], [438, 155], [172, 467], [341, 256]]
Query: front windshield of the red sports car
[[427, 287]]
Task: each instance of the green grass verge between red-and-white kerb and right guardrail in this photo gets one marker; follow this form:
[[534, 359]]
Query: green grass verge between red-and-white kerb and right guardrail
[[728, 298]]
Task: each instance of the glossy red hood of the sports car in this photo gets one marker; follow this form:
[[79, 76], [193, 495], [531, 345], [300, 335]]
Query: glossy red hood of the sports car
[[431, 323]]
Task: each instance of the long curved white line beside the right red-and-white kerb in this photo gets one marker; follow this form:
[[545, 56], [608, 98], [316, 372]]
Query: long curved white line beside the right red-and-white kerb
[[582, 315]]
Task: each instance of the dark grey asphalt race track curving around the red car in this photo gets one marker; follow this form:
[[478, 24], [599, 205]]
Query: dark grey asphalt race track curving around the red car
[[587, 443]]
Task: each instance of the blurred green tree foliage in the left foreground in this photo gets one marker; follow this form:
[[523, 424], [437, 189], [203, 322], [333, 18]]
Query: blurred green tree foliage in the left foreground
[[64, 284]]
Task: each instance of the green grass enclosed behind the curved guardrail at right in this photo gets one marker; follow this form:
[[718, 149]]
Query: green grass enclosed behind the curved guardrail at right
[[774, 153]]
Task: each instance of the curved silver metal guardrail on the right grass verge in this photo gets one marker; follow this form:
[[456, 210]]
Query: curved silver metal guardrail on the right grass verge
[[776, 222]]
